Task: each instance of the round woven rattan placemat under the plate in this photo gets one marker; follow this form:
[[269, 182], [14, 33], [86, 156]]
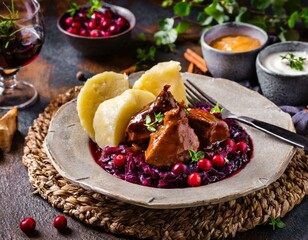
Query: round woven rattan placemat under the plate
[[206, 222]]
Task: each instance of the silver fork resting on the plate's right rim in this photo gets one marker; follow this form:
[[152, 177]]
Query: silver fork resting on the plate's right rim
[[195, 95]]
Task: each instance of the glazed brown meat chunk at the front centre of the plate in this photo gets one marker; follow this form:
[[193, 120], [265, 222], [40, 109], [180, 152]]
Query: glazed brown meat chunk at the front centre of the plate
[[170, 144]]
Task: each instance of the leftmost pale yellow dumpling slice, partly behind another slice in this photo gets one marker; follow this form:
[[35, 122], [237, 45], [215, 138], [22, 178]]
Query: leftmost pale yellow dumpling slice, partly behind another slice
[[97, 89]]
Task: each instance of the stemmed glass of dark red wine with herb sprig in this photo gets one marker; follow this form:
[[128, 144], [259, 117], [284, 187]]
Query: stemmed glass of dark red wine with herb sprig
[[21, 39]]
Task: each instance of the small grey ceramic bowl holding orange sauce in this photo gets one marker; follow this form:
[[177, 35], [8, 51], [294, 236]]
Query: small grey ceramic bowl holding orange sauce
[[230, 50]]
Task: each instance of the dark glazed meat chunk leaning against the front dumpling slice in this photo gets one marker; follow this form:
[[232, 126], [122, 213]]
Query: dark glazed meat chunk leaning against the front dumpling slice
[[136, 132]]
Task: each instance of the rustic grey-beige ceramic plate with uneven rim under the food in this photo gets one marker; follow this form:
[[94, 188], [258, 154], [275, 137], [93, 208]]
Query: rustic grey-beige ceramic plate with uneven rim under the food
[[67, 146]]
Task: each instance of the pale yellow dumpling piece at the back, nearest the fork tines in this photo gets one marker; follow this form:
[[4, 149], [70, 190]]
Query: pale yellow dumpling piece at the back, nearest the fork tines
[[161, 74]]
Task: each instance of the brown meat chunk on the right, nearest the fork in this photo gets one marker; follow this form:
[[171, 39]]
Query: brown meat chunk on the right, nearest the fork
[[208, 128]]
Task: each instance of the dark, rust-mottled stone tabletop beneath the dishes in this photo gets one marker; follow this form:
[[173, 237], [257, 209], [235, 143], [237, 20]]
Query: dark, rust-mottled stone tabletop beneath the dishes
[[54, 73]]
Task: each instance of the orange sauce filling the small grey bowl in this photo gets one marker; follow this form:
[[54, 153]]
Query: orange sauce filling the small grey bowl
[[235, 43]]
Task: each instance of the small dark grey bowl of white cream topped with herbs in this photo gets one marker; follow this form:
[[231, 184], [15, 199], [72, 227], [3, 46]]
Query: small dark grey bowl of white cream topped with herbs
[[282, 71]]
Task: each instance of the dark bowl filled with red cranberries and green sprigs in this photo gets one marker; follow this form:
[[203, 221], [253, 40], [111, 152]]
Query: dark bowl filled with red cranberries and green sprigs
[[97, 31]]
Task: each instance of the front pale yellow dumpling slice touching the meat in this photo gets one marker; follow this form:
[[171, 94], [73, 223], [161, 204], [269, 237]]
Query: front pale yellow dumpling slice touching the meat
[[113, 115]]
